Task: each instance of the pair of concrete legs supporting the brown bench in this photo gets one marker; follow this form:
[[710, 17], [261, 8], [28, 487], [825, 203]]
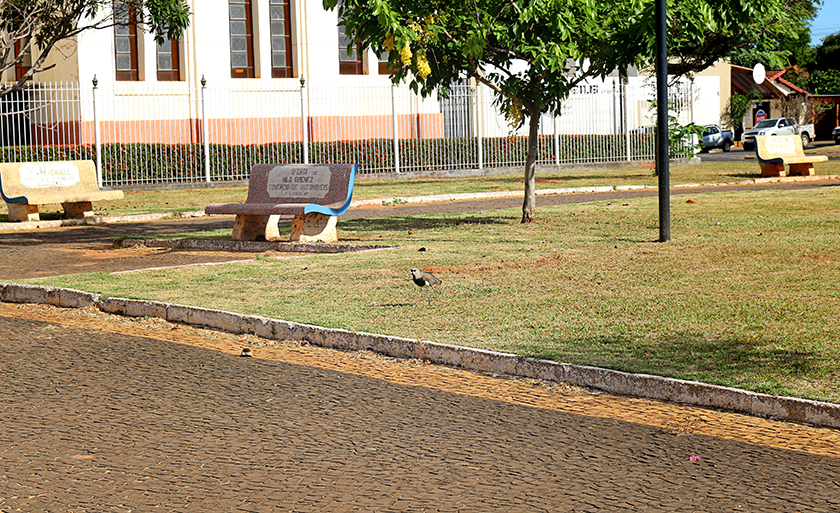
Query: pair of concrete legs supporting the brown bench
[[305, 228]]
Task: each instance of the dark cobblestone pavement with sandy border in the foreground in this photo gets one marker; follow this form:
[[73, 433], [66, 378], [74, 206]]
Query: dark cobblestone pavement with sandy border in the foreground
[[103, 413]]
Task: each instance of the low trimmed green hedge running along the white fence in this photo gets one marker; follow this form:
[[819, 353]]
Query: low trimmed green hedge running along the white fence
[[149, 163]]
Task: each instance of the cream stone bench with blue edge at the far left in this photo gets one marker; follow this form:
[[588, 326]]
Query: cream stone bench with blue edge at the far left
[[25, 185]]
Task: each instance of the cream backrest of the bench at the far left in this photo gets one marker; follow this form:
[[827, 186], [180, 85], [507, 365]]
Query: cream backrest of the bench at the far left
[[46, 182]]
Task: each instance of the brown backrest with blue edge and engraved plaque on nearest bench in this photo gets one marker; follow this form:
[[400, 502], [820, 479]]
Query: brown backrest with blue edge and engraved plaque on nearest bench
[[319, 184]]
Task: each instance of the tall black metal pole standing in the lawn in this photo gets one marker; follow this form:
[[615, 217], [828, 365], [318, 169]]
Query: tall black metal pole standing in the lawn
[[662, 157]]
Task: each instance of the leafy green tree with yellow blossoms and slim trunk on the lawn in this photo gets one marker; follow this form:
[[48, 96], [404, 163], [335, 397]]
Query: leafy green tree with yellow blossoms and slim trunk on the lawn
[[532, 53]]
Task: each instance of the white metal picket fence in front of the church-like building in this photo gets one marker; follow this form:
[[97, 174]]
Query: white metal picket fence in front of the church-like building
[[146, 133]]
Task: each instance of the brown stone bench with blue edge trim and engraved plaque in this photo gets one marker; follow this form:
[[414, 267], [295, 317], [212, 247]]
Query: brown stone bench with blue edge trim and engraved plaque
[[314, 193]]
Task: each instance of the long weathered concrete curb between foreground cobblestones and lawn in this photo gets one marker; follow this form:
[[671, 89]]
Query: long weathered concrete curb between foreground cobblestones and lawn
[[617, 382]]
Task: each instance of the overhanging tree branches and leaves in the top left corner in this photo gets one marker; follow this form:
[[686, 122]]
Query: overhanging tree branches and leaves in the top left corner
[[41, 24]]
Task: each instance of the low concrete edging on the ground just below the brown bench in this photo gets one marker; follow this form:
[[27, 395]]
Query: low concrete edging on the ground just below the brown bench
[[248, 246]]
